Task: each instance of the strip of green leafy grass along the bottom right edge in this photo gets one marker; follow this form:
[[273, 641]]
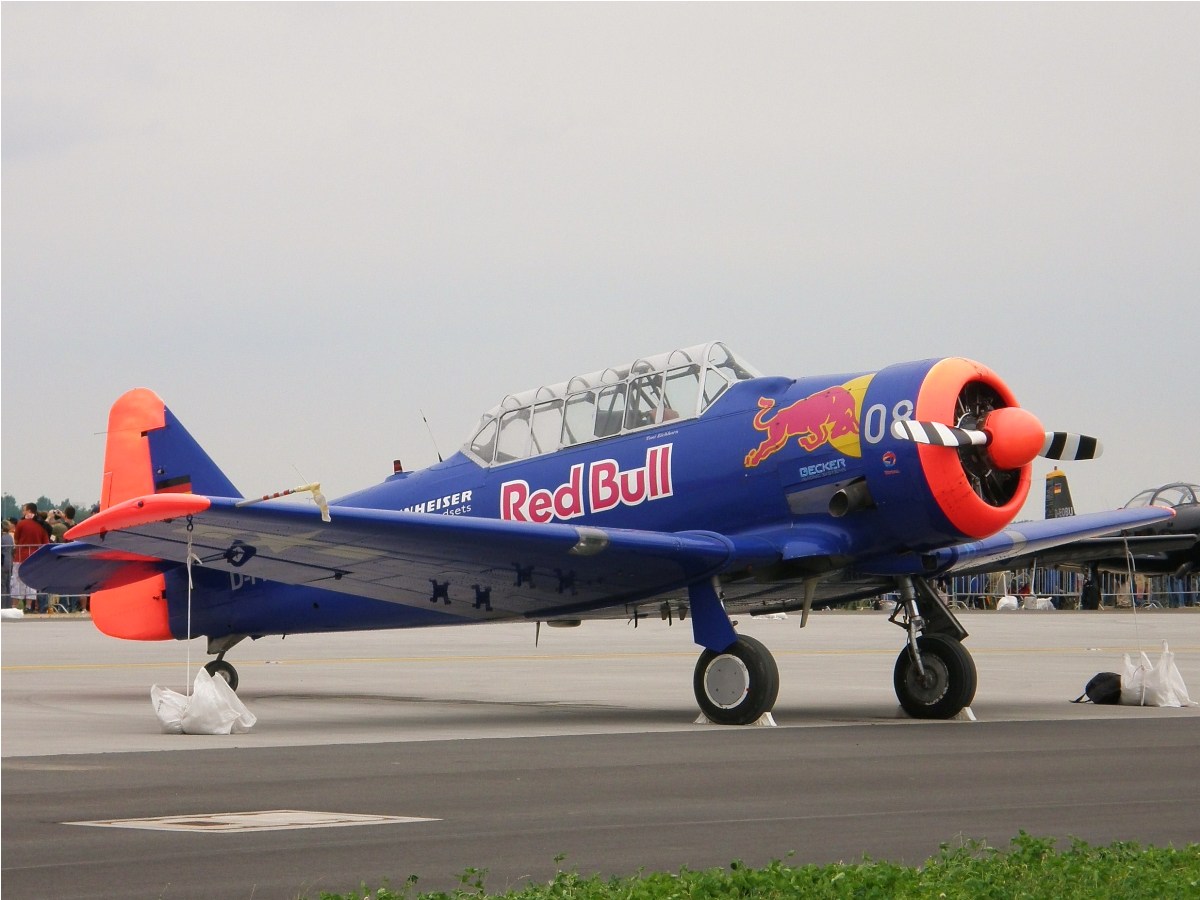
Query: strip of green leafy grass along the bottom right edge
[[1030, 868]]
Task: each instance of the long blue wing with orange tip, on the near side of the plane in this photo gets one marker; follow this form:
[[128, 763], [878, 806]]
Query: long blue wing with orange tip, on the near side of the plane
[[397, 557]]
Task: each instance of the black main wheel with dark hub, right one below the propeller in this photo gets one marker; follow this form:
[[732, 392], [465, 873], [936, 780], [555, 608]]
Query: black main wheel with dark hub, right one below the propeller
[[950, 681]]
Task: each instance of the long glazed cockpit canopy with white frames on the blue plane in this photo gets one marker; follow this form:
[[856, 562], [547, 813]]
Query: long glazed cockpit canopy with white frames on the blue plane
[[676, 386]]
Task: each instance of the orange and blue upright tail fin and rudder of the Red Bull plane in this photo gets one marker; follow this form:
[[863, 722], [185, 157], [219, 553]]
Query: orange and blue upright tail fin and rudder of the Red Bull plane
[[148, 452]]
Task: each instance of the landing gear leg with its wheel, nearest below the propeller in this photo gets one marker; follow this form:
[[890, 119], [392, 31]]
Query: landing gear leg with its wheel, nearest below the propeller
[[935, 676]]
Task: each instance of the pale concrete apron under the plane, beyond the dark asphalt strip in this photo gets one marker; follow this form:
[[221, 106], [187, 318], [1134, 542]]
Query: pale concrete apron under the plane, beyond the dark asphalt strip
[[68, 689]]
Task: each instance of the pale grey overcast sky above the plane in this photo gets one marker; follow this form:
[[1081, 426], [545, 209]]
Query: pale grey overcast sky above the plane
[[309, 226]]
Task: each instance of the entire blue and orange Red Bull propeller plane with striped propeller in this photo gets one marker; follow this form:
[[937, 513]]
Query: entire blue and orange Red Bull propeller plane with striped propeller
[[686, 485]]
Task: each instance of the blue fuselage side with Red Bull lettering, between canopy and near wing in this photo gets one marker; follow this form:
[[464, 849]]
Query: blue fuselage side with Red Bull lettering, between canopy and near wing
[[773, 457]]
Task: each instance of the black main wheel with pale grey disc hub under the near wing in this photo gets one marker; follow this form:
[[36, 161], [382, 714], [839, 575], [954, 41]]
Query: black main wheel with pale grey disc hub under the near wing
[[739, 685]]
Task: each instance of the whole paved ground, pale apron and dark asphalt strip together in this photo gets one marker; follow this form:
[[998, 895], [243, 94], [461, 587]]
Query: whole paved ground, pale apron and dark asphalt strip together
[[584, 748]]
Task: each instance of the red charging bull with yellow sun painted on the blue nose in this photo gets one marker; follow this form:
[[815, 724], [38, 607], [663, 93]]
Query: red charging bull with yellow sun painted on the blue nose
[[830, 417]]
